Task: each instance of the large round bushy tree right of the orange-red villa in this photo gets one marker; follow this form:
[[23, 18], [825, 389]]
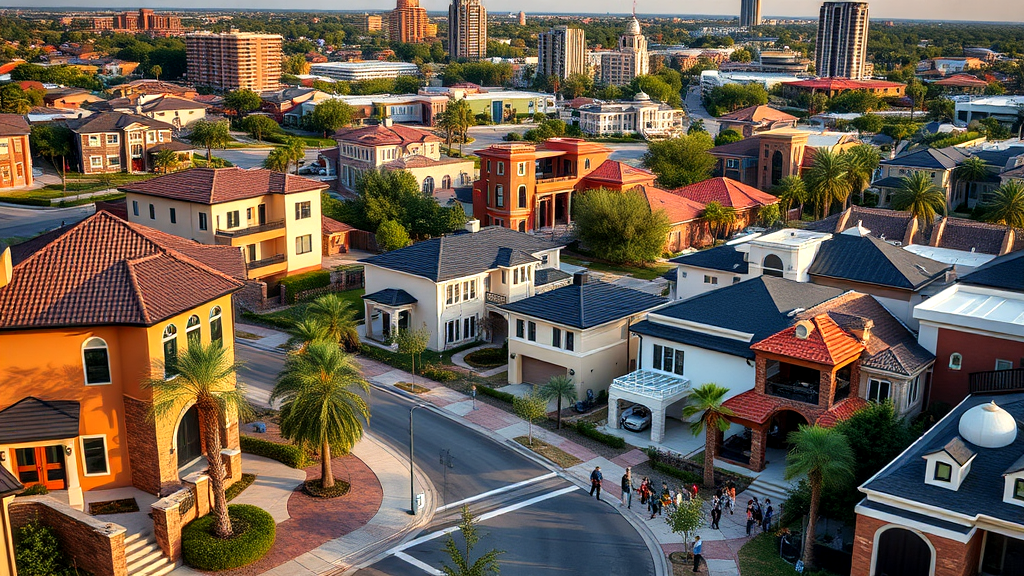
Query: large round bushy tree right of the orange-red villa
[[620, 227]]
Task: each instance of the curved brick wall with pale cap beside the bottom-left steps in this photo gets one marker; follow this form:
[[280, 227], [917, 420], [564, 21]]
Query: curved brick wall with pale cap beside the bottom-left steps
[[95, 546]]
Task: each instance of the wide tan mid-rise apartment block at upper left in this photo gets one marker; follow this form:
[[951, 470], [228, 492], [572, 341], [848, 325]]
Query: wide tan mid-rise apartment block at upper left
[[235, 60]]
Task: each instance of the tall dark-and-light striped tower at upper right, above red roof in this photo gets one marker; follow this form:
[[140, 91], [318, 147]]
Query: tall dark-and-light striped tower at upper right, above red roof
[[842, 43]]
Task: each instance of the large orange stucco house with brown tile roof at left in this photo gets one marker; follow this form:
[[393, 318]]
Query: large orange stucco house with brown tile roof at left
[[87, 313]]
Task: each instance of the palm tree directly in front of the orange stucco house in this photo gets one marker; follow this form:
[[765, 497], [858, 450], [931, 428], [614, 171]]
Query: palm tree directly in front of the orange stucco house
[[204, 377]]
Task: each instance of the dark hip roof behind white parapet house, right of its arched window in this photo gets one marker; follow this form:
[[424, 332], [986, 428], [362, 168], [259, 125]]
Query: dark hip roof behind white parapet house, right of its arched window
[[869, 260]]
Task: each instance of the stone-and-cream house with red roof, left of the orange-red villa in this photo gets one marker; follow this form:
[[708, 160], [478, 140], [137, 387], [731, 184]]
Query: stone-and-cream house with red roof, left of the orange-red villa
[[400, 148]]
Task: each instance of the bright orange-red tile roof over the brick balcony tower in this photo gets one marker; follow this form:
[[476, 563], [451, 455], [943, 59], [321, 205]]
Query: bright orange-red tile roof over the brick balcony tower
[[827, 344]]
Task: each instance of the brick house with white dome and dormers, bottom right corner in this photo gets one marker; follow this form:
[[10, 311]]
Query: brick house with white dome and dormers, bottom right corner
[[952, 503]]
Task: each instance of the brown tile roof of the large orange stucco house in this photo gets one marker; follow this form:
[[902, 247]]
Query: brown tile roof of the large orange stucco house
[[107, 271]]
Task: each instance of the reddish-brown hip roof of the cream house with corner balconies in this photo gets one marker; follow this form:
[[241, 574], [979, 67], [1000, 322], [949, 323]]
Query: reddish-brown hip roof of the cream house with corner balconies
[[214, 186]]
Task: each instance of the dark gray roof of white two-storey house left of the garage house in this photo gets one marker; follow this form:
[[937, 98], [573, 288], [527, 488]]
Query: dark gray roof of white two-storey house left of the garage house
[[459, 256]]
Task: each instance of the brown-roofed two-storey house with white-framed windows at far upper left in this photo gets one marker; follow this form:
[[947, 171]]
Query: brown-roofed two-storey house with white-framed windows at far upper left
[[115, 142]]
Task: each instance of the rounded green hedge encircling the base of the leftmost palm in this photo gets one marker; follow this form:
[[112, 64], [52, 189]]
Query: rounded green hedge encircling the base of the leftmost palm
[[254, 534]]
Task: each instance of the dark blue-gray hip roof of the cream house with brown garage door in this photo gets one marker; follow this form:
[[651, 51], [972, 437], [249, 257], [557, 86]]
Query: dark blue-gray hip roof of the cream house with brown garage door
[[586, 306]]
